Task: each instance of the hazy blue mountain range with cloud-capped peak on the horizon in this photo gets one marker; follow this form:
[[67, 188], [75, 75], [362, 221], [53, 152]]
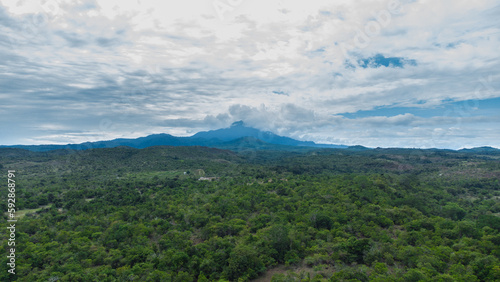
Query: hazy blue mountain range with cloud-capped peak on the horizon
[[237, 137]]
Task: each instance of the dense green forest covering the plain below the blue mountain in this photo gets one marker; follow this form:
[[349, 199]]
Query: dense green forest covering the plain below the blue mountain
[[205, 214]]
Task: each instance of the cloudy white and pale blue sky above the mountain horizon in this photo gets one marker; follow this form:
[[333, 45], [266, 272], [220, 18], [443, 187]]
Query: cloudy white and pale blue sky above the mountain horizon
[[407, 73]]
